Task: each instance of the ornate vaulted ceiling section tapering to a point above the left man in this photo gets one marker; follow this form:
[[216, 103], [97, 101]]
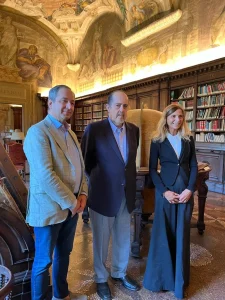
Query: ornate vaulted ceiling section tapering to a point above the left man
[[71, 19]]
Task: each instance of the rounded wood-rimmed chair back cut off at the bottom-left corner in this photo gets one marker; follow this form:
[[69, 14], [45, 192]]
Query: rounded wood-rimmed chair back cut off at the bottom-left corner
[[6, 283]]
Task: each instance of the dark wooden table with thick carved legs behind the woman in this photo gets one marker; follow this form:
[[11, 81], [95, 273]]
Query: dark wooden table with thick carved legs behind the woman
[[141, 181]]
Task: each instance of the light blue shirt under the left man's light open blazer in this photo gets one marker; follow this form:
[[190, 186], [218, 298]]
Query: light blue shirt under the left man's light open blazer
[[72, 150]]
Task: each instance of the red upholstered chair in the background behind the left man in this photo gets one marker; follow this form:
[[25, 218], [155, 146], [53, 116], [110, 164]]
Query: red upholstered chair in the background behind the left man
[[16, 154]]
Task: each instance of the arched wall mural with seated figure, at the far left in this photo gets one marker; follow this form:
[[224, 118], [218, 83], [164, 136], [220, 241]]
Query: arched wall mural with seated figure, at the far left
[[27, 52]]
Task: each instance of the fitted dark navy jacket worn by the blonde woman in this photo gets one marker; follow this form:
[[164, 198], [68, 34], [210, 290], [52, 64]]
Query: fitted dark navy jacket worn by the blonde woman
[[171, 166]]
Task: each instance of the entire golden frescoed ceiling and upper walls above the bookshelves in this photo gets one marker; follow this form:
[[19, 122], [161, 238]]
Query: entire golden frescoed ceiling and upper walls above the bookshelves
[[94, 43]]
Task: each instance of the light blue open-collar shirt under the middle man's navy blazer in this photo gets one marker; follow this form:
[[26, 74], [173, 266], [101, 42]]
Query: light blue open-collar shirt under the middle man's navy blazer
[[121, 139]]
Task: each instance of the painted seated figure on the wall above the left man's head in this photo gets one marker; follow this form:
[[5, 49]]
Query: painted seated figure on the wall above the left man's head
[[33, 67]]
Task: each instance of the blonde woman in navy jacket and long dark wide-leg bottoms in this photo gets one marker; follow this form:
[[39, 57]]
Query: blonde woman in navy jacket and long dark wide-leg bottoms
[[168, 264]]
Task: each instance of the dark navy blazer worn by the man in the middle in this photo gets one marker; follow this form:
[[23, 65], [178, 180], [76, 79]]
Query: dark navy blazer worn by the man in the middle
[[109, 176]]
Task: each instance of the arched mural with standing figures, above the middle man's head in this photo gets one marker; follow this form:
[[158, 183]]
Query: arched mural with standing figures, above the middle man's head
[[101, 49]]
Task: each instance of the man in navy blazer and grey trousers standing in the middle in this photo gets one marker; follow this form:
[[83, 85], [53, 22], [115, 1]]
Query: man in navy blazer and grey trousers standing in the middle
[[109, 149]]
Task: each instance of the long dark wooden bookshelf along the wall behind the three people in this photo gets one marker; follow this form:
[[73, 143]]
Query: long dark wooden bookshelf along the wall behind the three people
[[200, 90]]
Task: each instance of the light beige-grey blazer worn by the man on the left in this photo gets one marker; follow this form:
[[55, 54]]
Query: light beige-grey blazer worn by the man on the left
[[52, 175]]
